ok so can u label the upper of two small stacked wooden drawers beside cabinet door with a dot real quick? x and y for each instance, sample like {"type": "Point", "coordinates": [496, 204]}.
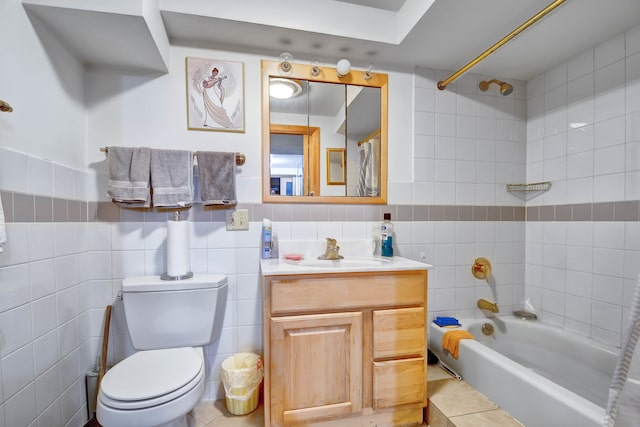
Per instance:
{"type": "Point", "coordinates": [398, 333]}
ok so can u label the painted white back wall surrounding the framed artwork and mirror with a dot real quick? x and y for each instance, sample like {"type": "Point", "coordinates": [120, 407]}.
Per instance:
{"type": "Point", "coordinates": [134, 110]}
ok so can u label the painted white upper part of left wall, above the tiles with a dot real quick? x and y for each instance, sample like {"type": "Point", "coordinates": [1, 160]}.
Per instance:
{"type": "Point", "coordinates": [40, 79]}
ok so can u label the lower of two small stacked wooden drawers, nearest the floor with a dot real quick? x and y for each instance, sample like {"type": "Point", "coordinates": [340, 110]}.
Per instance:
{"type": "Point", "coordinates": [399, 382]}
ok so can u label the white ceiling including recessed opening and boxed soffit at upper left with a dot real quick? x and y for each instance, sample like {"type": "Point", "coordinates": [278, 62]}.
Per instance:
{"type": "Point", "coordinates": [392, 34]}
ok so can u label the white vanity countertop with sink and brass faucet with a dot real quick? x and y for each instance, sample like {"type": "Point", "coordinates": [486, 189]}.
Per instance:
{"type": "Point", "coordinates": [275, 267]}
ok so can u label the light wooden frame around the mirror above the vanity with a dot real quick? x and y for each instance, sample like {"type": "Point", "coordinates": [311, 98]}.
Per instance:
{"type": "Point", "coordinates": [326, 75]}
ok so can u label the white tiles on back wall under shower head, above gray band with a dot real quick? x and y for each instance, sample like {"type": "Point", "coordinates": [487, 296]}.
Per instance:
{"type": "Point", "coordinates": [468, 143]}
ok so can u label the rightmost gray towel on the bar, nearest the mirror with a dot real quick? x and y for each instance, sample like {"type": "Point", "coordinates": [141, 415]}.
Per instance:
{"type": "Point", "coordinates": [217, 173]}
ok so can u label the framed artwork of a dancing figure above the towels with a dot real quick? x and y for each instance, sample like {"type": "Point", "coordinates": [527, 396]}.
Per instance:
{"type": "Point", "coordinates": [215, 95]}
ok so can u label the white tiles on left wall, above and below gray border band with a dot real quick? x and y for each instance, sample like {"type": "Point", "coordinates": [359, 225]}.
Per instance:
{"type": "Point", "coordinates": [42, 358]}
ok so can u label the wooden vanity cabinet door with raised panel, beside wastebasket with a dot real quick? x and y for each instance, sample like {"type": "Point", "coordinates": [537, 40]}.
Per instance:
{"type": "Point", "coordinates": [316, 367]}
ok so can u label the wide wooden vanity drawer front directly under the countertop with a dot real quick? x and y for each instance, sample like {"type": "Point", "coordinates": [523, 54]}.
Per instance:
{"type": "Point", "coordinates": [293, 294]}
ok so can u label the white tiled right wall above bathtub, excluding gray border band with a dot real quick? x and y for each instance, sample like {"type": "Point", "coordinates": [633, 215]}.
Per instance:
{"type": "Point", "coordinates": [584, 136]}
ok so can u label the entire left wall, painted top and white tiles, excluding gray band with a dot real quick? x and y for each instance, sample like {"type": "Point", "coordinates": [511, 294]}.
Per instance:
{"type": "Point", "coordinates": [46, 342]}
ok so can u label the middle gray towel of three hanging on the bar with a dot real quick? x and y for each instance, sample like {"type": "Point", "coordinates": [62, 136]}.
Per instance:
{"type": "Point", "coordinates": [172, 178]}
